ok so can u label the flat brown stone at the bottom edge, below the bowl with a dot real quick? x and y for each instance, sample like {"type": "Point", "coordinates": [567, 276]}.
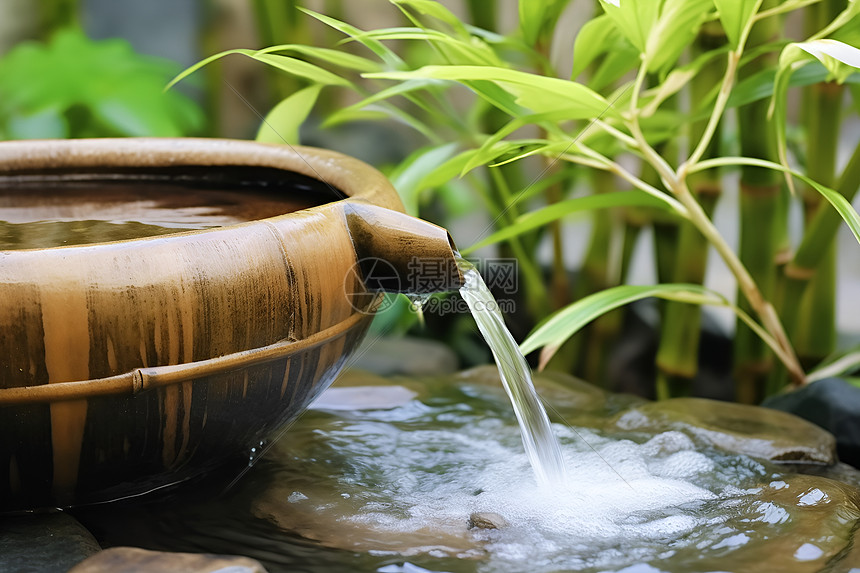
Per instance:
{"type": "Point", "coordinates": [135, 560]}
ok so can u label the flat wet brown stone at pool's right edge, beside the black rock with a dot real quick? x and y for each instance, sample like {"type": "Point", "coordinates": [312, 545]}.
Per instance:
{"type": "Point", "coordinates": [750, 430]}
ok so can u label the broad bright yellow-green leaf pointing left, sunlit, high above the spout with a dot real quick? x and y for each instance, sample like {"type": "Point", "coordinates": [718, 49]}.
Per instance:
{"type": "Point", "coordinates": [539, 93]}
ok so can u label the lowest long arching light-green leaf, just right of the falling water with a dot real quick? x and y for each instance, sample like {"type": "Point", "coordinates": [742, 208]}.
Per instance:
{"type": "Point", "coordinates": [563, 324]}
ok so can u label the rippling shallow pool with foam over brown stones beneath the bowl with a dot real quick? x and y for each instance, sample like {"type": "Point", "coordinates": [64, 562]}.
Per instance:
{"type": "Point", "coordinates": [441, 482]}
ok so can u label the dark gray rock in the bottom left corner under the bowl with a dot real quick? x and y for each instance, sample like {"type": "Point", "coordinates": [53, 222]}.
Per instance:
{"type": "Point", "coordinates": [43, 543]}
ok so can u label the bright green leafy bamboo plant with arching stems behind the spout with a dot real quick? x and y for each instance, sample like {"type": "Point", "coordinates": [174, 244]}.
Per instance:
{"type": "Point", "coordinates": [651, 83]}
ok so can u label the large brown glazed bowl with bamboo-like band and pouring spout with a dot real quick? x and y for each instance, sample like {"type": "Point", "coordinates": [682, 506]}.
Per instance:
{"type": "Point", "coordinates": [130, 365]}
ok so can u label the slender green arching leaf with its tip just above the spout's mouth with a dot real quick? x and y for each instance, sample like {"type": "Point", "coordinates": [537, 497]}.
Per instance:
{"type": "Point", "coordinates": [541, 217]}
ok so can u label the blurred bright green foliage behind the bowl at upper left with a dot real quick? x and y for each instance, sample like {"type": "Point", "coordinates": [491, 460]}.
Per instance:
{"type": "Point", "coordinates": [75, 87]}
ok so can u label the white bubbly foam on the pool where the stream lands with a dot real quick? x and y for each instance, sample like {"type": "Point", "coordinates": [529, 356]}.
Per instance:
{"type": "Point", "coordinates": [623, 502]}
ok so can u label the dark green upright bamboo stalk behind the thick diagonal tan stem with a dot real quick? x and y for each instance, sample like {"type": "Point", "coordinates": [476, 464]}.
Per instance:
{"type": "Point", "coordinates": [760, 227]}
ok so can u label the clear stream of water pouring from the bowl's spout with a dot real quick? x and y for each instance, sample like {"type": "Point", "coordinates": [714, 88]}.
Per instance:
{"type": "Point", "coordinates": [541, 445]}
